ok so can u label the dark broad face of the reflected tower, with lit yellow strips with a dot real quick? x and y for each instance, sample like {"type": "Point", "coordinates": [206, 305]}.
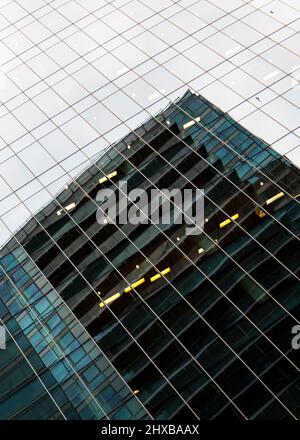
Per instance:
{"type": "Point", "coordinates": [211, 335]}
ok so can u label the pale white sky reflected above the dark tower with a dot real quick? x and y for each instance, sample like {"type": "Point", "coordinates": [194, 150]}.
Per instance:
{"type": "Point", "coordinates": [77, 75]}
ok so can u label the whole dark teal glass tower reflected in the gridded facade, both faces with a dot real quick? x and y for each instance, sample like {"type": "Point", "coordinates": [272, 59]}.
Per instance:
{"type": "Point", "coordinates": [141, 321]}
